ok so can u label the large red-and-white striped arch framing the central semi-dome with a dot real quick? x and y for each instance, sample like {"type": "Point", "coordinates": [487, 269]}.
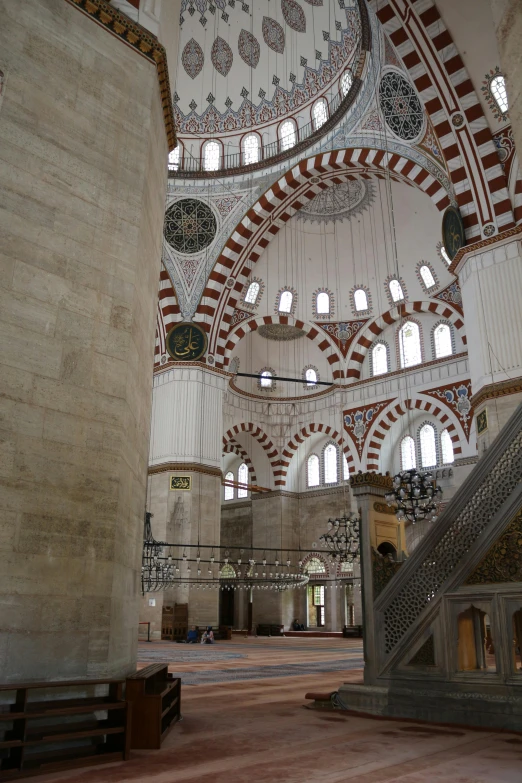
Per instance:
{"type": "Point", "coordinates": [273, 210]}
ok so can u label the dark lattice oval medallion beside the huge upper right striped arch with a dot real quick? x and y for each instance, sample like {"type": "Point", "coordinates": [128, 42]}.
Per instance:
{"type": "Point", "coordinates": [401, 108]}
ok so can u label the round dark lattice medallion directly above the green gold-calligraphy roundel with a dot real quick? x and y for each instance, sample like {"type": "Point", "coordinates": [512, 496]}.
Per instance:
{"type": "Point", "coordinates": [190, 226]}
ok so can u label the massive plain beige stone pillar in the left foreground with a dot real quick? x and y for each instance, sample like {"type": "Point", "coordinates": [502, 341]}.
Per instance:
{"type": "Point", "coordinates": [83, 176]}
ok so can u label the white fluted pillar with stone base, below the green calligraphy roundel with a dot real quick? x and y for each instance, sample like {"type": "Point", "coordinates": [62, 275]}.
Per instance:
{"type": "Point", "coordinates": [186, 442]}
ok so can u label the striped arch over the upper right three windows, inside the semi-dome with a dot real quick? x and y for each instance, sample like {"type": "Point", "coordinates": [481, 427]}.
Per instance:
{"type": "Point", "coordinates": [372, 330]}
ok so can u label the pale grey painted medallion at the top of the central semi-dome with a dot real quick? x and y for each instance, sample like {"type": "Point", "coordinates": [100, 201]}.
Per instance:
{"type": "Point", "coordinates": [338, 202]}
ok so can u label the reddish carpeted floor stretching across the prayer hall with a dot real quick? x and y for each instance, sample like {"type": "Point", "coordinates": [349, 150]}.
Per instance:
{"type": "Point", "coordinates": [249, 729]}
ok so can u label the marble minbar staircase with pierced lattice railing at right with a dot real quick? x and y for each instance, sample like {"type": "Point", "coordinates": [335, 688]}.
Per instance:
{"type": "Point", "coordinates": [443, 636]}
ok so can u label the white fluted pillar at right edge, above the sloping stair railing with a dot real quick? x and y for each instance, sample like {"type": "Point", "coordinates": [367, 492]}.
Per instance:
{"type": "Point", "coordinates": [491, 282]}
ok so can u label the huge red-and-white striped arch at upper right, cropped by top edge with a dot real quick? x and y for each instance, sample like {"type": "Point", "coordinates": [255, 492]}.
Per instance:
{"type": "Point", "coordinates": [426, 47]}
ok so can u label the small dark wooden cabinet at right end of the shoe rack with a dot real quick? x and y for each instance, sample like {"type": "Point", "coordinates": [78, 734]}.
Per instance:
{"type": "Point", "coordinates": [155, 697]}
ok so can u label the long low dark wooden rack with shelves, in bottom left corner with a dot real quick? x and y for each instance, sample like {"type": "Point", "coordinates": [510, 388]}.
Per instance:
{"type": "Point", "coordinates": [51, 726]}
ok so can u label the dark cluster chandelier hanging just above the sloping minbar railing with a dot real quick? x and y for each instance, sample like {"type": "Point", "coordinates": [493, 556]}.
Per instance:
{"type": "Point", "coordinates": [415, 495]}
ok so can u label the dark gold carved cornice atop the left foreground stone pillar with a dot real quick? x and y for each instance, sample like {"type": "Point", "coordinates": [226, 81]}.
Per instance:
{"type": "Point", "coordinates": [143, 42]}
